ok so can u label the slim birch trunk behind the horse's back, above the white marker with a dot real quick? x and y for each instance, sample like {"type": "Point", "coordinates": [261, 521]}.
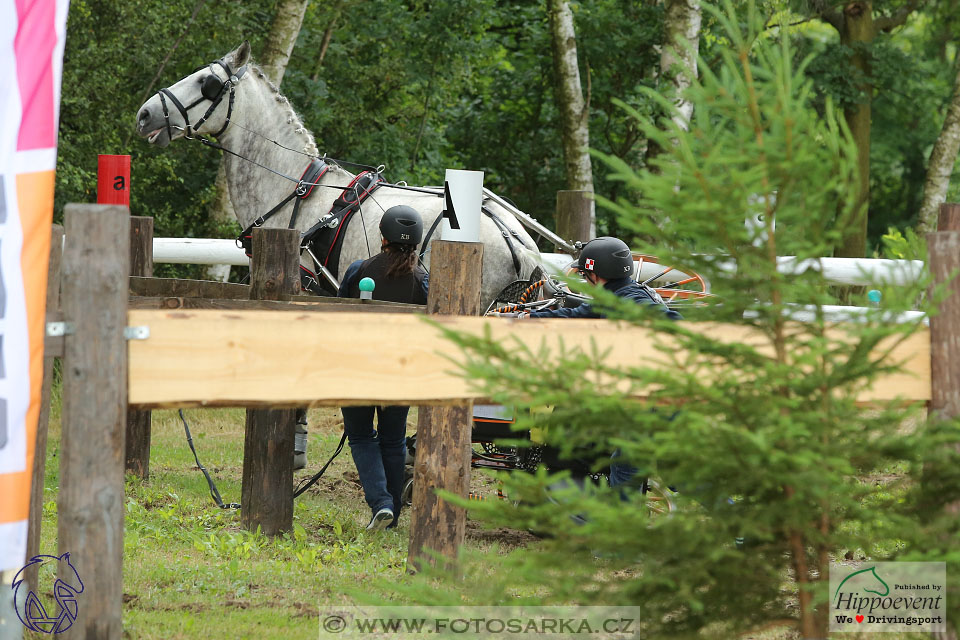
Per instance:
{"type": "Point", "coordinates": [574, 110]}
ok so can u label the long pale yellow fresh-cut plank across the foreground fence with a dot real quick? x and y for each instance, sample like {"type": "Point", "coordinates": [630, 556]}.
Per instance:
{"type": "Point", "coordinates": [274, 358]}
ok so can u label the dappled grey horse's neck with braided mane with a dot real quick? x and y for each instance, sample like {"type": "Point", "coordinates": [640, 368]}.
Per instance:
{"type": "Point", "coordinates": [264, 117]}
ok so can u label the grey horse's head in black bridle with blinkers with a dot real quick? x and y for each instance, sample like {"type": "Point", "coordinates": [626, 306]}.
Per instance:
{"type": "Point", "coordinates": [201, 103]}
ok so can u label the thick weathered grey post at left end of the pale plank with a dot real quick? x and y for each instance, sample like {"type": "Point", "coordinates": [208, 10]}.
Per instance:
{"type": "Point", "coordinates": [96, 268]}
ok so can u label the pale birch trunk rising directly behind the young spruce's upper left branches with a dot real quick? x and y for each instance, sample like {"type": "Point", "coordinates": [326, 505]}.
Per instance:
{"type": "Point", "coordinates": [678, 55]}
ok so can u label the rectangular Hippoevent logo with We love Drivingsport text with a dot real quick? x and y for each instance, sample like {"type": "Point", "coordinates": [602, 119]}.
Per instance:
{"type": "Point", "coordinates": [888, 596]}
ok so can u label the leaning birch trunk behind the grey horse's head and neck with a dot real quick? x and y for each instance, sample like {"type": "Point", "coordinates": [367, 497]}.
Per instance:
{"type": "Point", "coordinates": [283, 35]}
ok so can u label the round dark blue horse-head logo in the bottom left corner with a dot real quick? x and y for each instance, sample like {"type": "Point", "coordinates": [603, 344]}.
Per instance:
{"type": "Point", "coordinates": [41, 614]}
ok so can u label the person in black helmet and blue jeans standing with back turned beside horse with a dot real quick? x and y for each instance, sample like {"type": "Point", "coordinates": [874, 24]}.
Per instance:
{"type": "Point", "coordinates": [380, 453]}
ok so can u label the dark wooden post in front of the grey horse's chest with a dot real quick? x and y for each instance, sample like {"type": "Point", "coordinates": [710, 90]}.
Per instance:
{"type": "Point", "coordinates": [267, 489]}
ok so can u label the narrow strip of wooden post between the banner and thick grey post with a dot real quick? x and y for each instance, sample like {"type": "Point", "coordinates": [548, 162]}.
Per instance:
{"type": "Point", "coordinates": [40, 449]}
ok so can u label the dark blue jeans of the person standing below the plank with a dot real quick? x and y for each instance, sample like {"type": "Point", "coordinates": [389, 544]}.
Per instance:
{"type": "Point", "coordinates": [379, 453]}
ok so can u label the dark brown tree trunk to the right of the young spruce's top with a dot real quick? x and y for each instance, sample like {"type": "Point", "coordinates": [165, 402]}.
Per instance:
{"type": "Point", "coordinates": [858, 32]}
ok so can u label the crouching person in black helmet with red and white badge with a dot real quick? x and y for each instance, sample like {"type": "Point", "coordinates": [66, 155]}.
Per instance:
{"type": "Point", "coordinates": [608, 262]}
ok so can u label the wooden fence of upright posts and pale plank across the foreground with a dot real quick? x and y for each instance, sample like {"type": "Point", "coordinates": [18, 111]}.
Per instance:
{"type": "Point", "coordinates": [141, 343]}
